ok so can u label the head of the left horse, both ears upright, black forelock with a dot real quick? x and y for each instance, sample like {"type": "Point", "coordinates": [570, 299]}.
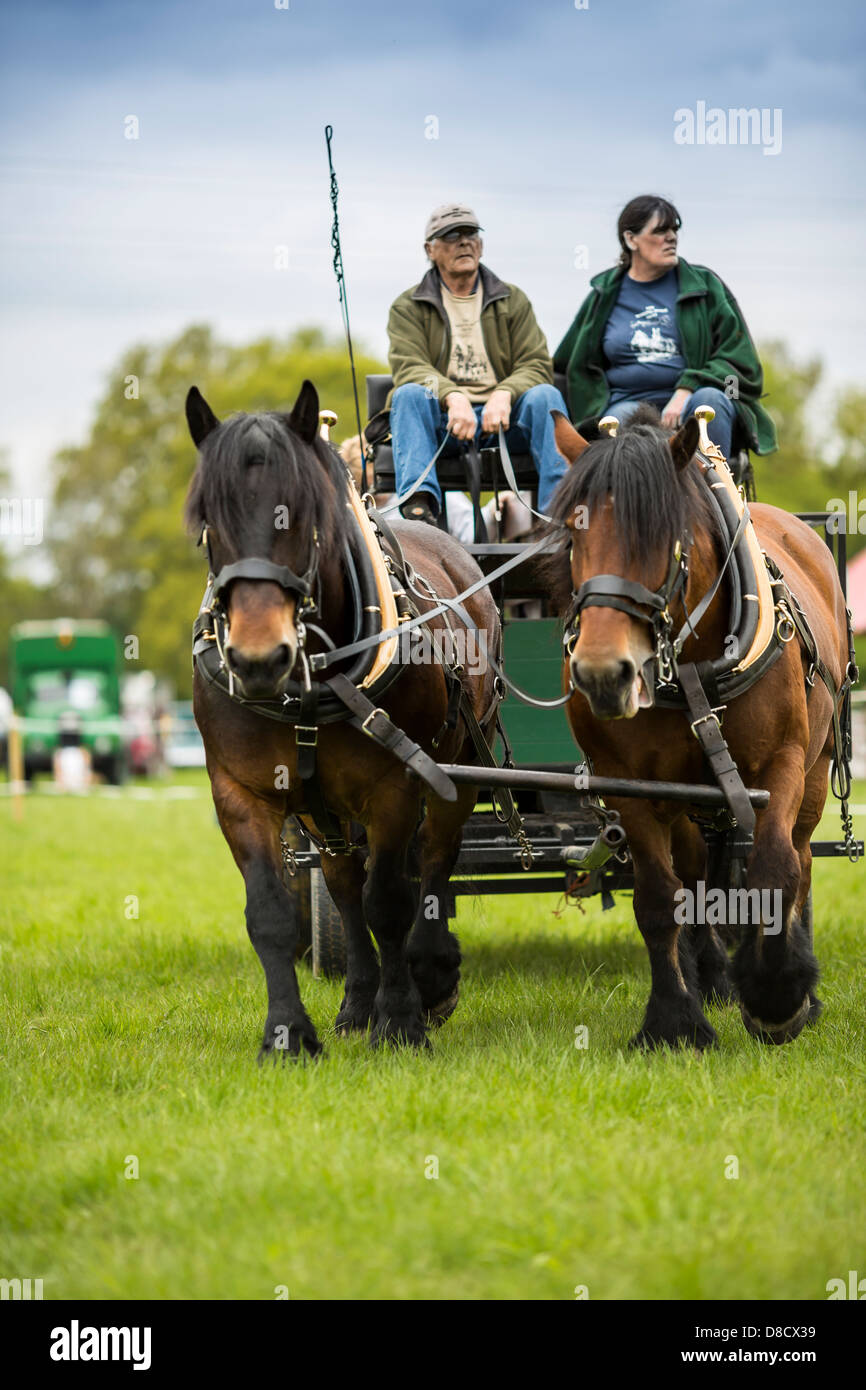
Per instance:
{"type": "Point", "coordinates": [270, 494]}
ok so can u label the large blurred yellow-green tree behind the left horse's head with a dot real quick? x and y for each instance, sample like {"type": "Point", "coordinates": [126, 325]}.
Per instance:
{"type": "Point", "coordinates": [117, 533]}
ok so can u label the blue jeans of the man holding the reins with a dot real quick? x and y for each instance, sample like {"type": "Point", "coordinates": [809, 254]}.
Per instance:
{"type": "Point", "coordinates": [419, 425]}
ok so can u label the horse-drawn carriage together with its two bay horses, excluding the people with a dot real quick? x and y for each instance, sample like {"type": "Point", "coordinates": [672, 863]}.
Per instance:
{"type": "Point", "coordinates": [546, 821]}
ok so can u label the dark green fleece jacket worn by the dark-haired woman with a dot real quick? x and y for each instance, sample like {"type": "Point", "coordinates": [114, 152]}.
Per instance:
{"type": "Point", "coordinates": [714, 337]}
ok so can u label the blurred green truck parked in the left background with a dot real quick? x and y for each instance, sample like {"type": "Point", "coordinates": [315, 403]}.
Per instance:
{"type": "Point", "coordinates": [66, 676]}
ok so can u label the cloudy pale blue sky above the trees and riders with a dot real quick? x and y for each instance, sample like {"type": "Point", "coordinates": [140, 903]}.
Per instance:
{"type": "Point", "coordinates": [550, 119]}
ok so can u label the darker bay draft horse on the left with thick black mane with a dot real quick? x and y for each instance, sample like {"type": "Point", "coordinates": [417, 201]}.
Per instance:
{"type": "Point", "coordinates": [251, 469]}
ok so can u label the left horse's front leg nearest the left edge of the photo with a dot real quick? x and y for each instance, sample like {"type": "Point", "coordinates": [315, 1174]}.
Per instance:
{"type": "Point", "coordinates": [252, 828]}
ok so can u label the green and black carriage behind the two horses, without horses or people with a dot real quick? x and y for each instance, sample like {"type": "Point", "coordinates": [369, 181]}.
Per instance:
{"type": "Point", "coordinates": [573, 850]}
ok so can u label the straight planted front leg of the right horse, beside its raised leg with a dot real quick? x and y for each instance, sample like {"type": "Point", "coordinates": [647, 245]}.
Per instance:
{"type": "Point", "coordinates": [673, 1011]}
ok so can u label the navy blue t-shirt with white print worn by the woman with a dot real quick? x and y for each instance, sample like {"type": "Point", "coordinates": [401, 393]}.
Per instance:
{"type": "Point", "coordinates": [642, 343]}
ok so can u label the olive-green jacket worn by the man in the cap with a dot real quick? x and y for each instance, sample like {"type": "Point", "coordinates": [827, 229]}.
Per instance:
{"type": "Point", "coordinates": [419, 336]}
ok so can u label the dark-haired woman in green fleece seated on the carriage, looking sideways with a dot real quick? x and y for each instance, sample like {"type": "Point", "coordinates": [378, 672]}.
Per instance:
{"type": "Point", "coordinates": [661, 330]}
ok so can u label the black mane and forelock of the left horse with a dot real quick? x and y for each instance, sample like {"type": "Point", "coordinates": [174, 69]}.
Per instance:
{"type": "Point", "coordinates": [291, 477]}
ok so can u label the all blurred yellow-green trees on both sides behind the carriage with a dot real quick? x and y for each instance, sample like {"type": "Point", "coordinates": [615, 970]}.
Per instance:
{"type": "Point", "coordinates": [115, 530]}
